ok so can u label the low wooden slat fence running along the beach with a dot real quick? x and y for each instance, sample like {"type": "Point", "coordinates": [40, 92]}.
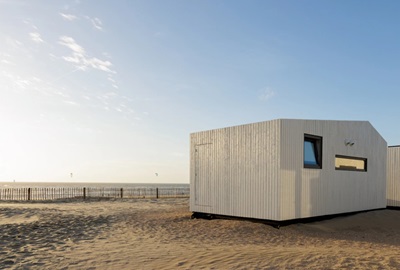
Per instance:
{"type": "Point", "coordinates": [56, 193]}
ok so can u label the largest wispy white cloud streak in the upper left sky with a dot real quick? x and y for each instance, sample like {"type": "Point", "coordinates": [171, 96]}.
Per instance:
{"type": "Point", "coordinates": [80, 58]}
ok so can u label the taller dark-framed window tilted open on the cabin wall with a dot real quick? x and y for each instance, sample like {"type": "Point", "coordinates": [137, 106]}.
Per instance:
{"type": "Point", "coordinates": [312, 151]}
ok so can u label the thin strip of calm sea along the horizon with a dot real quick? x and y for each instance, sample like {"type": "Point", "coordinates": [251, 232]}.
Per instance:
{"type": "Point", "coordinates": [98, 185]}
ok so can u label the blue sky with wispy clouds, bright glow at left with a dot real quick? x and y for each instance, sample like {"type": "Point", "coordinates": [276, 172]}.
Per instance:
{"type": "Point", "coordinates": [109, 91]}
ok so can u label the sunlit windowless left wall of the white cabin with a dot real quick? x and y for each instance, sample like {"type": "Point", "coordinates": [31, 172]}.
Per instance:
{"type": "Point", "coordinates": [234, 171]}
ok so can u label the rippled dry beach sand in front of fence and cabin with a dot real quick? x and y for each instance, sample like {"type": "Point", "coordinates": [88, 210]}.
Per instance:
{"type": "Point", "coordinates": [159, 234]}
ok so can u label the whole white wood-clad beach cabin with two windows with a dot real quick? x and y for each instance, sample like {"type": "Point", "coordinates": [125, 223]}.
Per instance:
{"type": "Point", "coordinates": [288, 169]}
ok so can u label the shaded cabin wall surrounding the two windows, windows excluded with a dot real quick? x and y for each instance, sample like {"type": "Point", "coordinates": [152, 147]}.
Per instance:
{"type": "Point", "coordinates": [307, 192]}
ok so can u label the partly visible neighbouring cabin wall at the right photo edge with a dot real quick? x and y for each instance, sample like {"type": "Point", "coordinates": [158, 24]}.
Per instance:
{"type": "Point", "coordinates": [393, 177]}
